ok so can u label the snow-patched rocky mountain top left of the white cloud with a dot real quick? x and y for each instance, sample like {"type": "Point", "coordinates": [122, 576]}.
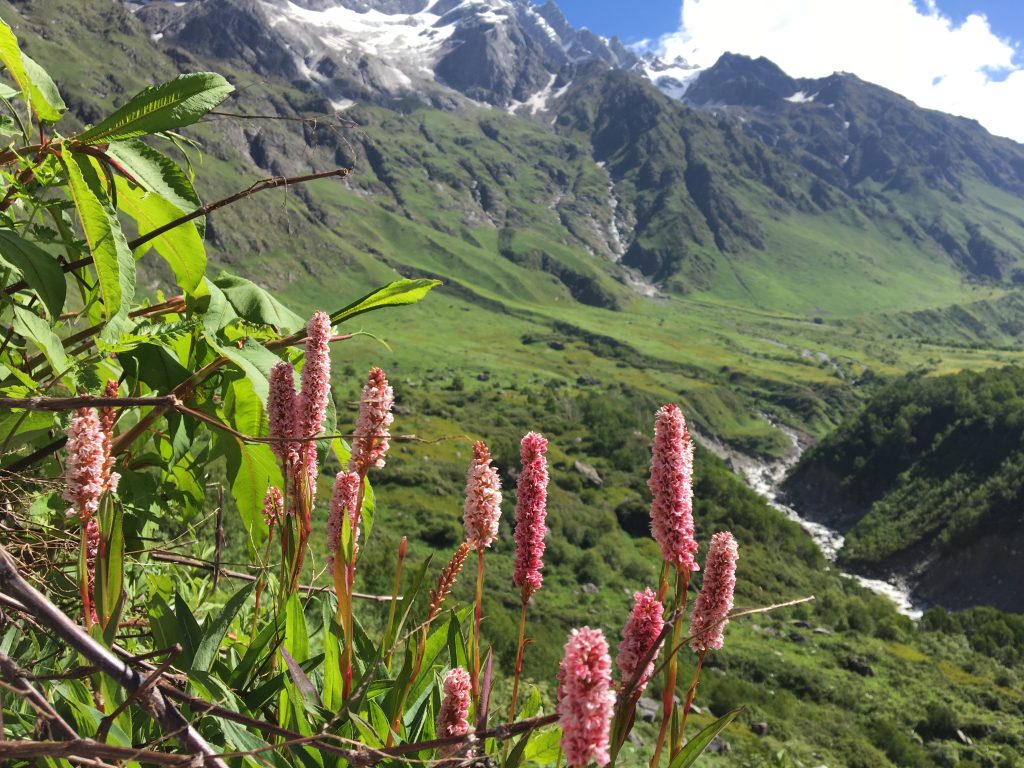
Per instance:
{"type": "Point", "coordinates": [508, 54]}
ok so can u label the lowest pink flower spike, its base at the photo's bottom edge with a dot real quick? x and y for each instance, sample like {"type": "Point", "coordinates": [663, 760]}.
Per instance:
{"type": "Point", "coordinates": [586, 700]}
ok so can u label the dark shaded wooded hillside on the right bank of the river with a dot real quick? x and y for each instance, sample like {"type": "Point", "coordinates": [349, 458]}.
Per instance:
{"type": "Point", "coordinates": [928, 483]}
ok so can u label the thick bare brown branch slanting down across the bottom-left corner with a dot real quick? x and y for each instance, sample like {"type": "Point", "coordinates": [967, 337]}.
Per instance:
{"type": "Point", "coordinates": [153, 701]}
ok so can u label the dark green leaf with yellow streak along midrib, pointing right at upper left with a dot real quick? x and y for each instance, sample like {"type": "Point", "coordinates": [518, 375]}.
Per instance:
{"type": "Point", "coordinates": [162, 108]}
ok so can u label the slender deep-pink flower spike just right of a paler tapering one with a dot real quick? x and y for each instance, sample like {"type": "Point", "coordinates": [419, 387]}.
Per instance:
{"type": "Point", "coordinates": [531, 511]}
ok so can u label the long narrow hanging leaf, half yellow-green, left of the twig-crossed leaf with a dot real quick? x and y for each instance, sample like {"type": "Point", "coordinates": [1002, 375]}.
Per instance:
{"type": "Point", "coordinates": [111, 255]}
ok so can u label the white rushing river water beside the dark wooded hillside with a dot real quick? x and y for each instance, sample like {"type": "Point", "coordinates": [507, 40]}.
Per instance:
{"type": "Point", "coordinates": [766, 478]}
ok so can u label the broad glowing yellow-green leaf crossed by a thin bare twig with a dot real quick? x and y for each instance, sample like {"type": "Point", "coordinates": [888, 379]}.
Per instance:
{"type": "Point", "coordinates": [181, 247]}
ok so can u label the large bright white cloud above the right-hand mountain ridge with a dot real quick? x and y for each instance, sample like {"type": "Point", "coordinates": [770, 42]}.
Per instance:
{"type": "Point", "coordinates": [964, 69]}
